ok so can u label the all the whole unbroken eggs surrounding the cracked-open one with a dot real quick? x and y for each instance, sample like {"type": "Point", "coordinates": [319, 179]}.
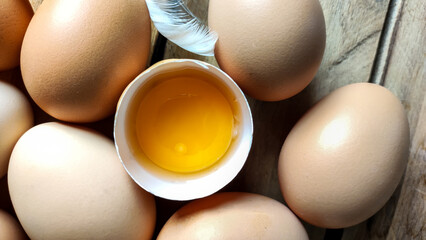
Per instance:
{"type": "Point", "coordinates": [338, 166]}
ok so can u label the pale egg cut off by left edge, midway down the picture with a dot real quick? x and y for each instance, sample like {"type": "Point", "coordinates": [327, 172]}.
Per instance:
{"type": "Point", "coordinates": [16, 117]}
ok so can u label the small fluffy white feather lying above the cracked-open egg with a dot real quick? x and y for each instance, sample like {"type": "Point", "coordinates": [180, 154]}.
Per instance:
{"type": "Point", "coordinates": [178, 24]}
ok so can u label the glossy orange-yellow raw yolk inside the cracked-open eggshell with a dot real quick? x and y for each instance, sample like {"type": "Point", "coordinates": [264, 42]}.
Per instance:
{"type": "Point", "coordinates": [184, 124]}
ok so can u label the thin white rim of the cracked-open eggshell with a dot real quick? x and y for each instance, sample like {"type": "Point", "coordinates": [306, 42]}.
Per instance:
{"type": "Point", "coordinates": [182, 189]}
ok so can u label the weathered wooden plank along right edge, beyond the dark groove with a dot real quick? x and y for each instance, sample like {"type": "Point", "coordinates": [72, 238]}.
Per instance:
{"type": "Point", "coordinates": [405, 76]}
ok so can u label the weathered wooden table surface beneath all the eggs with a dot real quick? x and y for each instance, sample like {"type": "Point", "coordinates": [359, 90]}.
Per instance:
{"type": "Point", "coordinates": [381, 41]}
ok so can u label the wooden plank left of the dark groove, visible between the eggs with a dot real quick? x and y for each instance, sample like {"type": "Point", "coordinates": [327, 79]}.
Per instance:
{"type": "Point", "coordinates": [353, 32]}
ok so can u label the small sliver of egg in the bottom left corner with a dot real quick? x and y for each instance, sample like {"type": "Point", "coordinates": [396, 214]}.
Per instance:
{"type": "Point", "coordinates": [10, 228]}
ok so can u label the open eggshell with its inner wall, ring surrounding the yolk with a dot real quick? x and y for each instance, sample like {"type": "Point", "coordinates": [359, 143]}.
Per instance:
{"type": "Point", "coordinates": [173, 185]}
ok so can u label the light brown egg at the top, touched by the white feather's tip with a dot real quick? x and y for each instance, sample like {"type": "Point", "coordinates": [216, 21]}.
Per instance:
{"type": "Point", "coordinates": [273, 48]}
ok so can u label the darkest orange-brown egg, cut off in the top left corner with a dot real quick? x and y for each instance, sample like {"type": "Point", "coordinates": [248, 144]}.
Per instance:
{"type": "Point", "coordinates": [15, 15]}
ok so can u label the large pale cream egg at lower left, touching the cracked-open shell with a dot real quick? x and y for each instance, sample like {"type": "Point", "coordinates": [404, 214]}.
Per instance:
{"type": "Point", "coordinates": [67, 182]}
